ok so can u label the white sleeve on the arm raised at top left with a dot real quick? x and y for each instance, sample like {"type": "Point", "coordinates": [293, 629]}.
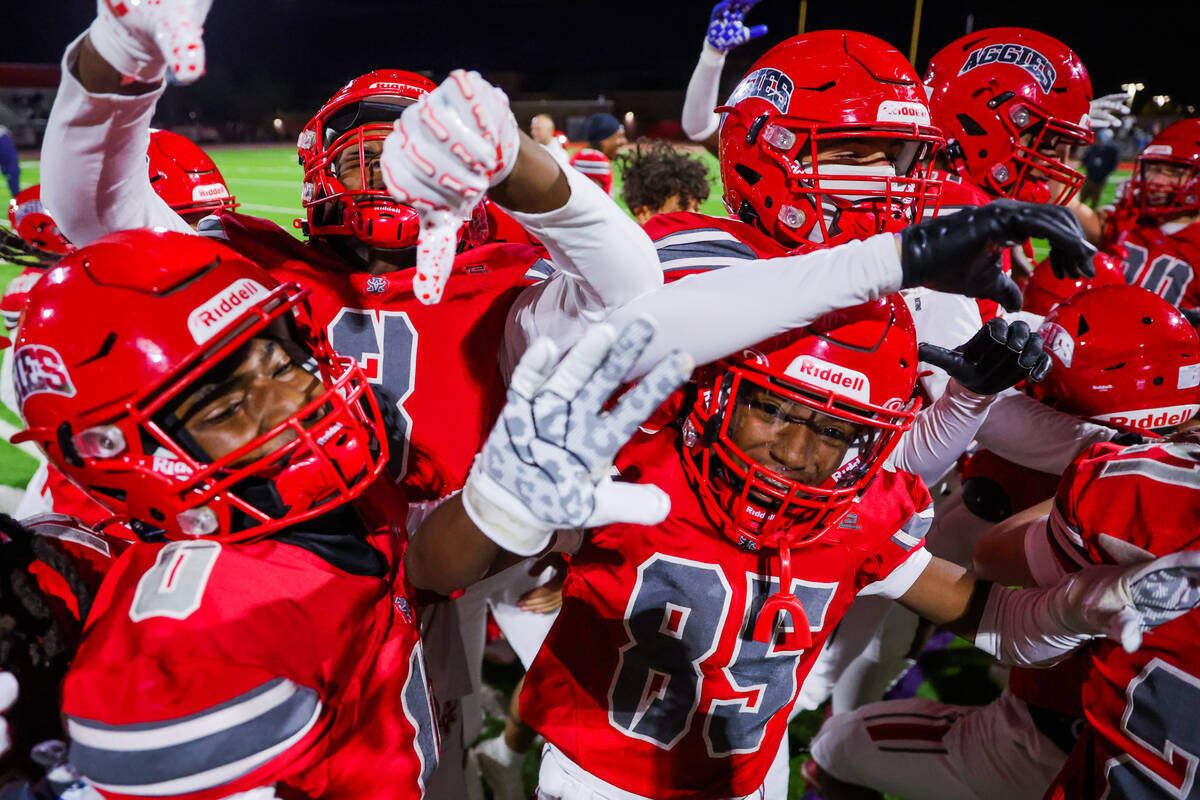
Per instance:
{"type": "Point", "coordinates": [94, 163]}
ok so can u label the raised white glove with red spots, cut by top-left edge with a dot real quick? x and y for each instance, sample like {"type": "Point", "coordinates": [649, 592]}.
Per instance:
{"type": "Point", "coordinates": [143, 39]}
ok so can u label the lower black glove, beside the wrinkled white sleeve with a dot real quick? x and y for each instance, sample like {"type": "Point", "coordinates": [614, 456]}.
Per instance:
{"type": "Point", "coordinates": [999, 357]}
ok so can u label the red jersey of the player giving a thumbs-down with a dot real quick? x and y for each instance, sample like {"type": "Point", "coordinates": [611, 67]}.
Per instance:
{"type": "Point", "coordinates": [437, 366]}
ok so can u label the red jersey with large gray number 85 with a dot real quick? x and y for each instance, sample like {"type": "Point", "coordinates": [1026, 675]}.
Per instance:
{"type": "Point", "coordinates": [651, 679]}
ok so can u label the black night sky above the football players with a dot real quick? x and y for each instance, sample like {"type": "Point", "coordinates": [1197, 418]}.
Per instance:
{"type": "Point", "coordinates": [293, 53]}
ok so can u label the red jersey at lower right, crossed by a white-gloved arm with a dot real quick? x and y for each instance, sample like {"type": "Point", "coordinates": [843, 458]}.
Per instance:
{"type": "Point", "coordinates": [1117, 507]}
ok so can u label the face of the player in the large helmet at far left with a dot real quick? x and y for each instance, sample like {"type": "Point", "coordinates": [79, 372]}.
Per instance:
{"type": "Point", "coordinates": [229, 408]}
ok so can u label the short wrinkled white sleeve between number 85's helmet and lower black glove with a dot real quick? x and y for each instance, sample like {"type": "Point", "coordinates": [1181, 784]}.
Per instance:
{"type": "Point", "coordinates": [941, 434]}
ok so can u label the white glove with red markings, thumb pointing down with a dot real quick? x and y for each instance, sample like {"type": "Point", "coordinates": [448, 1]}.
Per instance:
{"type": "Point", "coordinates": [447, 149]}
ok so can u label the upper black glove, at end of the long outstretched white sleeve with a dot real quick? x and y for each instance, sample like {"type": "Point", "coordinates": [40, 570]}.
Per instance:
{"type": "Point", "coordinates": [962, 252]}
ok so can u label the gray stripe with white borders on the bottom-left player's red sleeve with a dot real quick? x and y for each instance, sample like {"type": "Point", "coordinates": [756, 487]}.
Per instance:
{"type": "Point", "coordinates": [129, 760]}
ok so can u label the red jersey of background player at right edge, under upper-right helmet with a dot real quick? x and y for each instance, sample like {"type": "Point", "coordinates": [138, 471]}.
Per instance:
{"type": "Point", "coordinates": [1167, 264]}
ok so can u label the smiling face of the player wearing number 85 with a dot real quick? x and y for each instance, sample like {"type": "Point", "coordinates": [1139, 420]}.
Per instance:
{"type": "Point", "coordinates": [789, 438]}
